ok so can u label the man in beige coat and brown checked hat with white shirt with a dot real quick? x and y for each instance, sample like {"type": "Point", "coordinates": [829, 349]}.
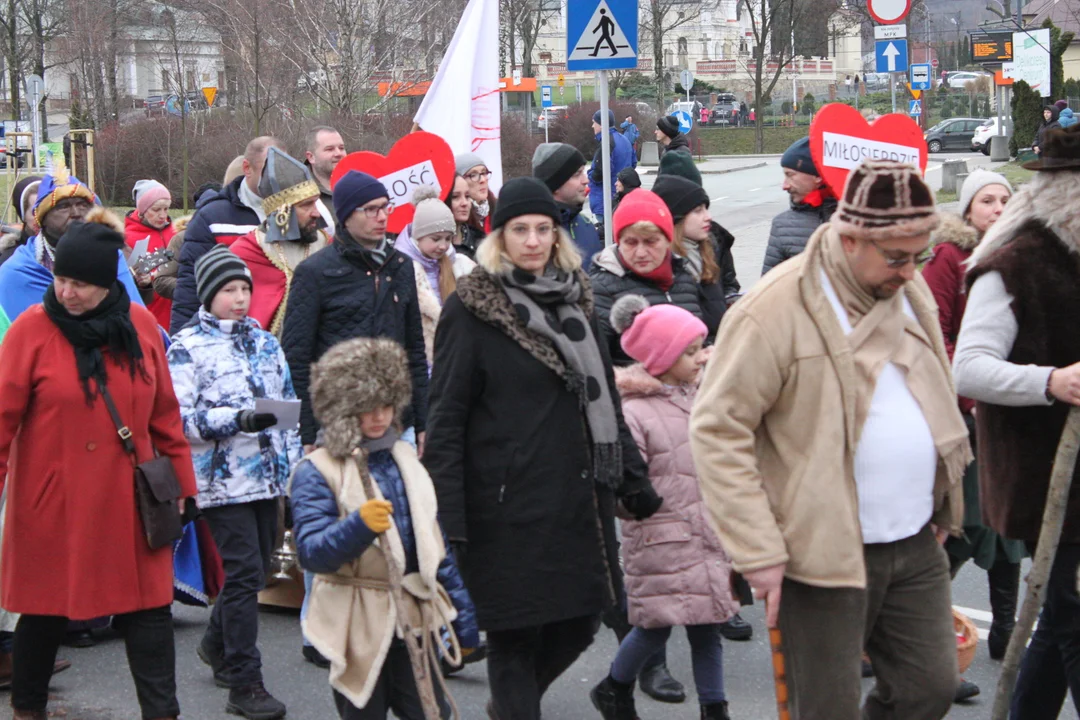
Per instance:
{"type": "Point", "coordinates": [831, 454]}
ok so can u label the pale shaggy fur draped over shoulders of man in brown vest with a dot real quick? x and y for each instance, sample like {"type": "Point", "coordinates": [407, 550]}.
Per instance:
{"type": "Point", "coordinates": [1049, 200]}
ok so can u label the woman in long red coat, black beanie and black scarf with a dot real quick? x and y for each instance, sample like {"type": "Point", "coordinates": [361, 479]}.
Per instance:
{"type": "Point", "coordinates": [74, 542]}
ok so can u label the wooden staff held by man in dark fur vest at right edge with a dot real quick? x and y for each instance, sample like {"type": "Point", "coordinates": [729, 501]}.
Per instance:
{"type": "Point", "coordinates": [1050, 536]}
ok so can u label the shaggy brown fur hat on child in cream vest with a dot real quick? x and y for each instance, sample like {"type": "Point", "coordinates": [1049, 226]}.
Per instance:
{"type": "Point", "coordinates": [355, 377]}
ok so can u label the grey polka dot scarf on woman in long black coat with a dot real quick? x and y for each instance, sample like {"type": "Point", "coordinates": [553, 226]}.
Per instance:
{"type": "Point", "coordinates": [548, 306]}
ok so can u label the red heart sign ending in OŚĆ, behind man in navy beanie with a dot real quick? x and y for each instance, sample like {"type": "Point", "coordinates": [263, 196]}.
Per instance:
{"type": "Point", "coordinates": [417, 159]}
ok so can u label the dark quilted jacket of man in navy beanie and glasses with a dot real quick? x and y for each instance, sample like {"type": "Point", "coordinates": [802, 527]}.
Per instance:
{"type": "Point", "coordinates": [340, 294]}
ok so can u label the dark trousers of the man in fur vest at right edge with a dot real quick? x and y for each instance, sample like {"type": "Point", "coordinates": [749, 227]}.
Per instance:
{"type": "Point", "coordinates": [1051, 665]}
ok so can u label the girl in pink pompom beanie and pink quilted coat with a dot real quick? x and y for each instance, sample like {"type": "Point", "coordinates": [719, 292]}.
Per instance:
{"type": "Point", "coordinates": [677, 572]}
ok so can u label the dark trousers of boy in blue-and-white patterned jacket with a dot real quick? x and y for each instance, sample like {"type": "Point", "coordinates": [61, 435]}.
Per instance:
{"type": "Point", "coordinates": [246, 535]}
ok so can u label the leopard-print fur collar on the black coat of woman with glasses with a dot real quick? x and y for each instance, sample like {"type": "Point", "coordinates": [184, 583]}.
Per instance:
{"type": "Point", "coordinates": [483, 295]}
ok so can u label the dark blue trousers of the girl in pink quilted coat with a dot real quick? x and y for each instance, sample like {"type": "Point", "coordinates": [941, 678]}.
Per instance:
{"type": "Point", "coordinates": [707, 653]}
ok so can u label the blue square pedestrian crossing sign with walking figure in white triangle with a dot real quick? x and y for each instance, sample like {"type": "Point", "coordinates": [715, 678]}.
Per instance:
{"type": "Point", "coordinates": [602, 35]}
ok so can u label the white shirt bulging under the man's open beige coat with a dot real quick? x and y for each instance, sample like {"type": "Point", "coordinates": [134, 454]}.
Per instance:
{"type": "Point", "coordinates": [896, 461]}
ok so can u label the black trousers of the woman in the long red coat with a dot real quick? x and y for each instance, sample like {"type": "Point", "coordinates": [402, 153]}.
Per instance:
{"type": "Point", "coordinates": [152, 658]}
